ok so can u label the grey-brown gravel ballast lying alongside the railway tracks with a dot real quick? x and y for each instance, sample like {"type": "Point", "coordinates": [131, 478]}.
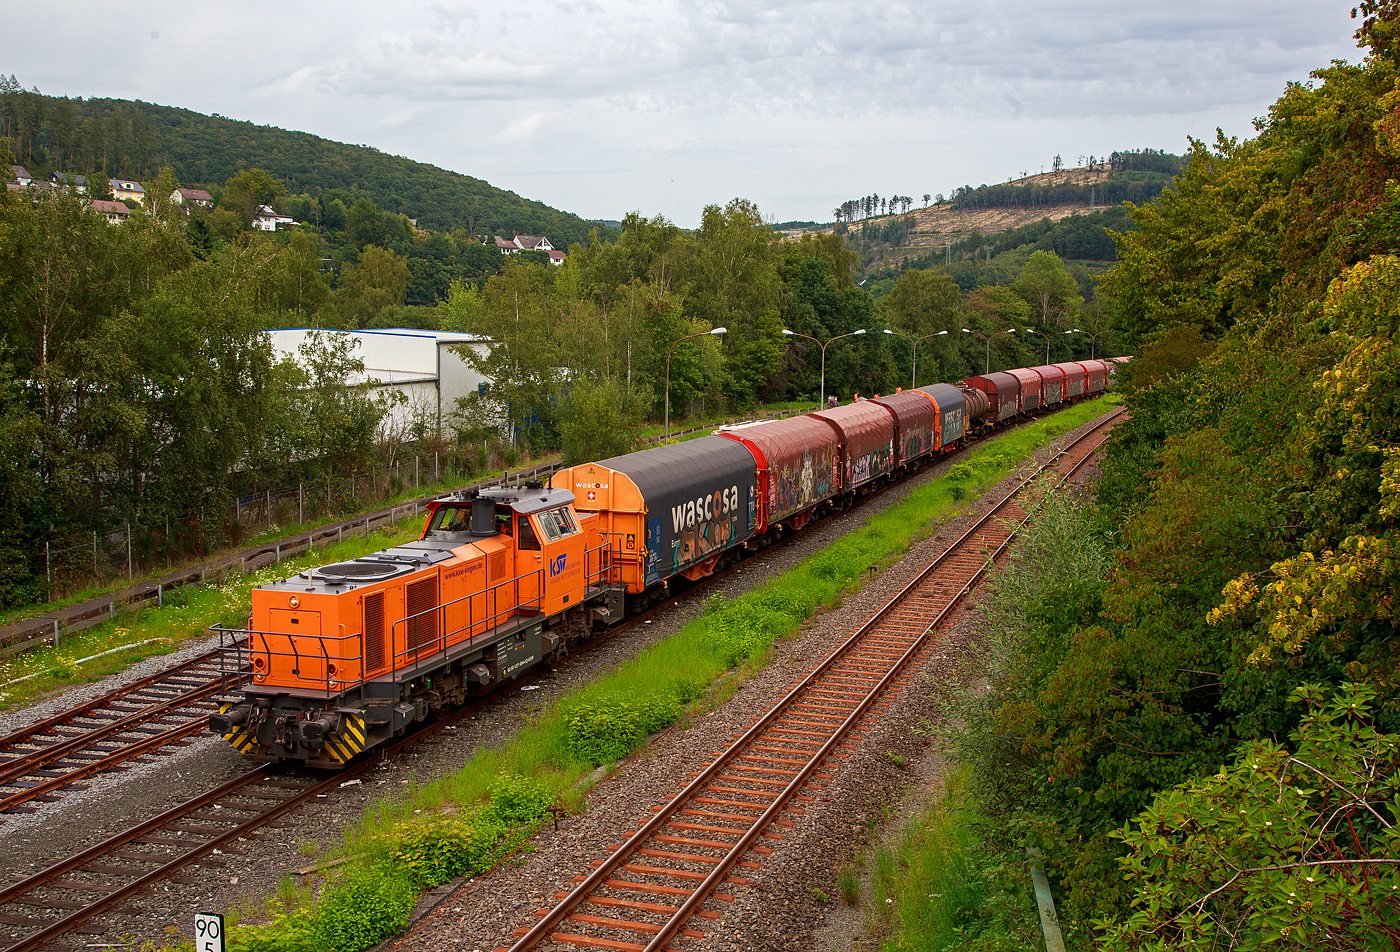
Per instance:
{"type": "Point", "coordinates": [780, 911]}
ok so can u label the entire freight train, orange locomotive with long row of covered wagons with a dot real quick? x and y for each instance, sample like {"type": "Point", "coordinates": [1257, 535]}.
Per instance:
{"type": "Point", "coordinates": [342, 659]}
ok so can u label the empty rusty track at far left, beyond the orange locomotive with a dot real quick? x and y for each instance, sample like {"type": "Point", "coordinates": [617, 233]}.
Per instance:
{"type": "Point", "coordinates": [136, 720]}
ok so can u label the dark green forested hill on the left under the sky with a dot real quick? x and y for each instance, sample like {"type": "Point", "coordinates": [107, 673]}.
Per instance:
{"type": "Point", "coordinates": [131, 139]}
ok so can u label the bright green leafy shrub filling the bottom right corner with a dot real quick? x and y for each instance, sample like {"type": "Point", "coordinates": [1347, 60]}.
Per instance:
{"type": "Point", "coordinates": [1279, 850]}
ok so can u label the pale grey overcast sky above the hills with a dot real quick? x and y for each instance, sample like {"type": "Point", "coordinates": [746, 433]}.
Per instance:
{"type": "Point", "coordinates": [601, 107]}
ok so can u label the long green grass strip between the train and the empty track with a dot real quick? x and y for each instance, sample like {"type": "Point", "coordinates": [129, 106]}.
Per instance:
{"type": "Point", "coordinates": [495, 803]}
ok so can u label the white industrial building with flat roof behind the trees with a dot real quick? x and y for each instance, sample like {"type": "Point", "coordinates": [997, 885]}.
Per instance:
{"type": "Point", "coordinates": [423, 366]}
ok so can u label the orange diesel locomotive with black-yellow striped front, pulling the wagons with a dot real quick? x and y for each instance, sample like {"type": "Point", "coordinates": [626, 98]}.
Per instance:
{"type": "Point", "coordinates": [344, 657]}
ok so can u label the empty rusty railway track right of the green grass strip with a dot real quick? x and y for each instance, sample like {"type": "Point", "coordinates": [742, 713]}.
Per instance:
{"type": "Point", "coordinates": [678, 869]}
